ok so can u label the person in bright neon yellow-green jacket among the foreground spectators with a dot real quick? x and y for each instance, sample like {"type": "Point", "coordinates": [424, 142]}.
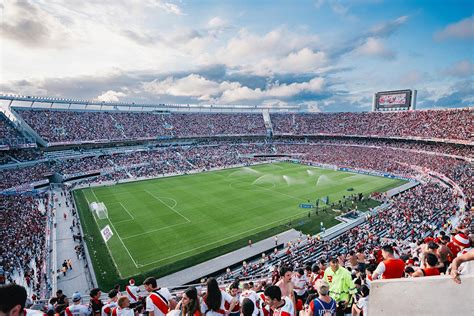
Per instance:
{"type": "Point", "coordinates": [341, 286]}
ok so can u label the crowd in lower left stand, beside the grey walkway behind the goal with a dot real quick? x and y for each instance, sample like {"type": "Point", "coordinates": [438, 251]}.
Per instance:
{"type": "Point", "coordinates": [23, 235]}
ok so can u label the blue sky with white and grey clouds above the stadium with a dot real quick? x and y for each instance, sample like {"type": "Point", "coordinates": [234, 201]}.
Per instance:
{"type": "Point", "coordinates": [322, 55]}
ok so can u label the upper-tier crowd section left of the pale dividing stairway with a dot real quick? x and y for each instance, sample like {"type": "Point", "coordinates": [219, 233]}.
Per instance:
{"type": "Point", "coordinates": [70, 126]}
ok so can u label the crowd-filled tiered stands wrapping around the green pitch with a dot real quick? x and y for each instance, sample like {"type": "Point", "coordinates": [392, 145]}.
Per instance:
{"type": "Point", "coordinates": [433, 145]}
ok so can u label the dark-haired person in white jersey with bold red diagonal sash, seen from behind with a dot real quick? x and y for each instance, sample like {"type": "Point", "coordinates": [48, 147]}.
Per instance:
{"type": "Point", "coordinates": [159, 300]}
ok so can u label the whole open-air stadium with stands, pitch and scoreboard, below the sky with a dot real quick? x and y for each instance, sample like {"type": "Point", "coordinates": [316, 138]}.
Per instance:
{"type": "Point", "coordinates": [137, 207]}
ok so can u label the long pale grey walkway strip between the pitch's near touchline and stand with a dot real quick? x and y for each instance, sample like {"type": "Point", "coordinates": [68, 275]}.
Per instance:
{"type": "Point", "coordinates": [211, 266]}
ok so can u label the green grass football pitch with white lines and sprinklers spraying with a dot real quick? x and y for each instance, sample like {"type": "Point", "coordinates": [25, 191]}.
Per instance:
{"type": "Point", "coordinates": [166, 224]}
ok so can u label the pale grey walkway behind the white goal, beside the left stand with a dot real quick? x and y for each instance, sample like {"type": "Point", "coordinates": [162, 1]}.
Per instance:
{"type": "Point", "coordinates": [75, 279]}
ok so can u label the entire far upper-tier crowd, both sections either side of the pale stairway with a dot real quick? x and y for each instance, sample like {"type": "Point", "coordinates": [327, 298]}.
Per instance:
{"type": "Point", "coordinates": [83, 126]}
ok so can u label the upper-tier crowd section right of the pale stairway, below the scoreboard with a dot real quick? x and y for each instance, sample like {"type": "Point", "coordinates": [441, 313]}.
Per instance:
{"type": "Point", "coordinates": [444, 124]}
